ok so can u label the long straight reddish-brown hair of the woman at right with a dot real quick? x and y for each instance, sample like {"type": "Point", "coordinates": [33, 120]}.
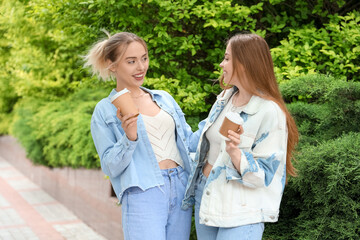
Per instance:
{"type": "Point", "coordinates": [253, 53]}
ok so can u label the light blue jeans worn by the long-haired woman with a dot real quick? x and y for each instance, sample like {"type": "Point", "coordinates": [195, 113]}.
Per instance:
{"type": "Point", "coordinates": [203, 232]}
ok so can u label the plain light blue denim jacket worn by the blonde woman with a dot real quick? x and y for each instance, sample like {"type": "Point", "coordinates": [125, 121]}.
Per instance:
{"type": "Point", "coordinates": [133, 163]}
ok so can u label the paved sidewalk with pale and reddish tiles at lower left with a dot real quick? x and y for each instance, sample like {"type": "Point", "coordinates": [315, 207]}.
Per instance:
{"type": "Point", "coordinates": [29, 213]}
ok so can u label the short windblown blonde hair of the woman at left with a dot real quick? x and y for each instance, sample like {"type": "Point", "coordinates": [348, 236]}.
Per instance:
{"type": "Point", "coordinates": [105, 53]}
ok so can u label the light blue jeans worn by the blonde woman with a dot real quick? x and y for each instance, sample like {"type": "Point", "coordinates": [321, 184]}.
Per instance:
{"type": "Point", "coordinates": [156, 213]}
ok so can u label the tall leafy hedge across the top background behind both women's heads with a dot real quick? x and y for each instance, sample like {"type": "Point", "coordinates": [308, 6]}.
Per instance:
{"type": "Point", "coordinates": [44, 39]}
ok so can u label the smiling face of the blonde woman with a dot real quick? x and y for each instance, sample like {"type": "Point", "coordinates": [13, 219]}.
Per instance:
{"type": "Point", "coordinates": [131, 69]}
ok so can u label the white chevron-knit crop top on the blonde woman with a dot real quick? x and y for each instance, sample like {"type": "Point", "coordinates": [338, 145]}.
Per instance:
{"type": "Point", "coordinates": [161, 132]}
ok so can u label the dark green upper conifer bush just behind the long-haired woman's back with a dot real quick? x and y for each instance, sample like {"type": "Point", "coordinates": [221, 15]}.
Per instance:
{"type": "Point", "coordinates": [323, 107]}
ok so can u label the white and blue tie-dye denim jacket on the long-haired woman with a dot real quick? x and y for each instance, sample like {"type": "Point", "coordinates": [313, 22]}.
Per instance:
{"type": "Point", "coordinates": [231, 198]}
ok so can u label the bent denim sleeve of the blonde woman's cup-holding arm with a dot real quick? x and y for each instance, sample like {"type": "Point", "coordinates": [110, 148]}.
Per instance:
{"type": "Point", "coordinates": [113, 146]}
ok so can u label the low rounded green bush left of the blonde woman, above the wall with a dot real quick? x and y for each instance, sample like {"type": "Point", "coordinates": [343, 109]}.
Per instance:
{"type": "Point", "coordinates": [57, 133]}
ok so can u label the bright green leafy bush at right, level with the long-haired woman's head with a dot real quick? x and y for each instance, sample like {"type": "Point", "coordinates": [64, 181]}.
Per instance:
{"type": "Point", "coordinates": [332, 49]}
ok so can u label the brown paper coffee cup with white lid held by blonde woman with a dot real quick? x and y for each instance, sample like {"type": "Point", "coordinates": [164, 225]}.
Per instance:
{"type": "Point", "coordinates": [124, 101]}
